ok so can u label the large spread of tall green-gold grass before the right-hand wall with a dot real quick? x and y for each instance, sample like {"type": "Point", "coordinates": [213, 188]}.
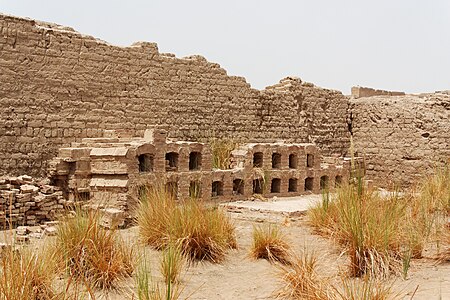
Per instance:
{"type": "Point", "coordinates": [380, 233]}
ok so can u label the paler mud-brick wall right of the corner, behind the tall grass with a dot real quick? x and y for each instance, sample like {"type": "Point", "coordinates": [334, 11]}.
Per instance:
{"type": "Point", "coordinates": [402, 137]}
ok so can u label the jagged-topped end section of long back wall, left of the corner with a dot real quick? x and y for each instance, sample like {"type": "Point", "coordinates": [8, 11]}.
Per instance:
{"type": "Point", "coordinates": [300, 111]}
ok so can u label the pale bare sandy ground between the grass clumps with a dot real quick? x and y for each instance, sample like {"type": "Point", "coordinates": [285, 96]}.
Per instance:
{"type": "Point", "coordinates": [240, 277]}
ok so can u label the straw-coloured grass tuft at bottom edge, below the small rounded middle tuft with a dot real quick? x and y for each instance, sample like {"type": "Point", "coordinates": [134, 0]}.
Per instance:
{"type": "Point", "coordinates": [301, 280]}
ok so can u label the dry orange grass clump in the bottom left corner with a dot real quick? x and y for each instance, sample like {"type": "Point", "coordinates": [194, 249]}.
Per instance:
{"type": "Point", "coordinates": [25, 274]}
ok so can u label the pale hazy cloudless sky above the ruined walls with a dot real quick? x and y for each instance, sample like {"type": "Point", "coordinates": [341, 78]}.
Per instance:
{"type": "Point", "coordinates": [387, 44]}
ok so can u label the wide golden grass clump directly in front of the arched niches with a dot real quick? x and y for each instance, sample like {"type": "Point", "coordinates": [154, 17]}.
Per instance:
{"type": "Point", "coordinates": [202, 233]}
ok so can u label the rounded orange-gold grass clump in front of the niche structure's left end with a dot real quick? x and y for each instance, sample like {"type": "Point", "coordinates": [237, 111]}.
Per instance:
{"type": "Point", "coordinates": [91, 253]}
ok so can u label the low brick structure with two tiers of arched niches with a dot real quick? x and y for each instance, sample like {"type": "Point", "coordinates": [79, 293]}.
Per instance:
{"type": "Point", "coordinates": [112, 171]}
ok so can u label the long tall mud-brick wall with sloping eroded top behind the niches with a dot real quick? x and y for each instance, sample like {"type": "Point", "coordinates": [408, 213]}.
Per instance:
{"type": "Point", "coordinates": [58, 86]}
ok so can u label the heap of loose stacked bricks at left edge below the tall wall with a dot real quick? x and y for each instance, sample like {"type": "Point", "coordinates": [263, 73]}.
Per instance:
{"type": "Point", "coordinates": [23, 201]}
